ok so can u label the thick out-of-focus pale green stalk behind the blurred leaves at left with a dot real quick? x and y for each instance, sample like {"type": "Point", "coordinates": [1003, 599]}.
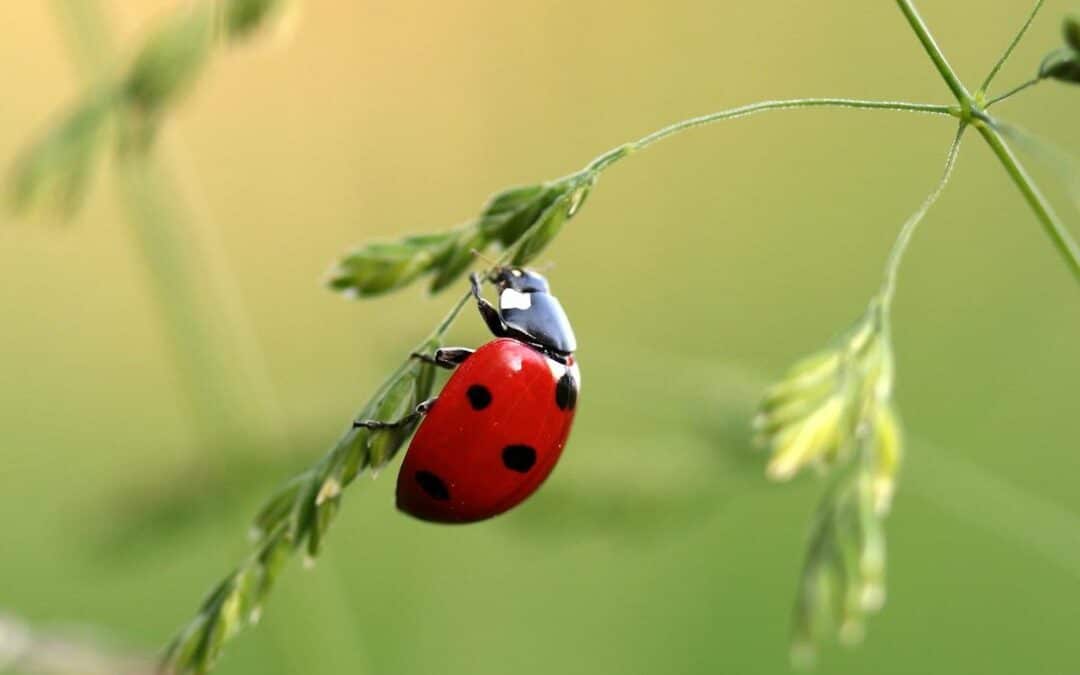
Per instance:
{"type": "Point", "coordinates": [220, 364]}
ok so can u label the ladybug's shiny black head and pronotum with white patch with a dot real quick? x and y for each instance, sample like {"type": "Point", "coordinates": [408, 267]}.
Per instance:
{"type": "Point", "coordinates": [531, 314]}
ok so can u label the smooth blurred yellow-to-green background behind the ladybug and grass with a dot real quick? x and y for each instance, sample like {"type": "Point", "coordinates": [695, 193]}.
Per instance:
{"type": "Point", "coordinates": [698, 272]}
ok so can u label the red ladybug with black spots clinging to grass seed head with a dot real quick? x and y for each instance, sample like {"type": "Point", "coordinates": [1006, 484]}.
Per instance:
{"type": "Point", "coordinates": [498, 427]}
